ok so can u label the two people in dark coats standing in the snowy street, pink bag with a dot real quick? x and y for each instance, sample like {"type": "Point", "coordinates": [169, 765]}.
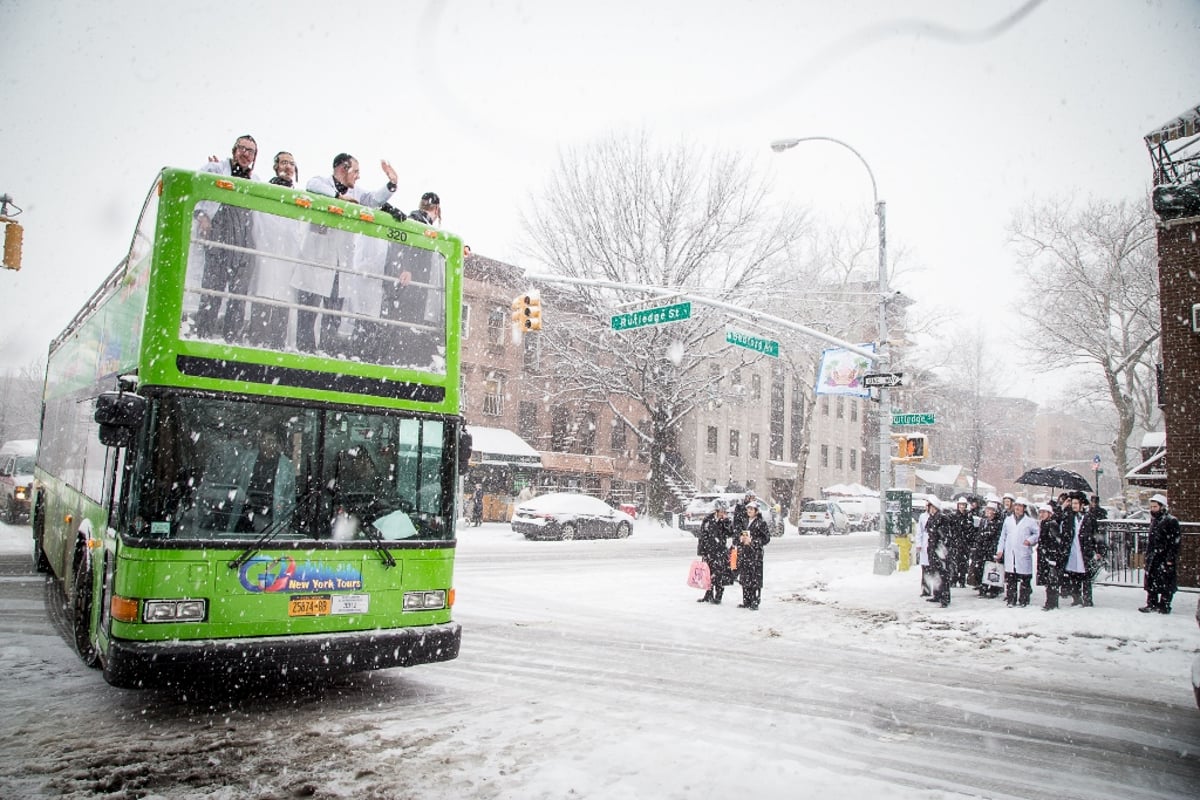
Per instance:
{"type": "Point", "coordinates": [733, 548]}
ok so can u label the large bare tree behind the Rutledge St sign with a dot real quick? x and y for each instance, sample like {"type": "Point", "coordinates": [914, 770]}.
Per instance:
{"type": "Point", "coordinates": [676, 218]}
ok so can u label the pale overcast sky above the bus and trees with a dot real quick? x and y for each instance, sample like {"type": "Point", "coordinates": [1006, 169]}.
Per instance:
{"type": "Point", "coordinates": [964, 111]}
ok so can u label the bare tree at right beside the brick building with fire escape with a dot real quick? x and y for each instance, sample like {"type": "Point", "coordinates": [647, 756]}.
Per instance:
{"type": "Point", "coordinates": [1091, 302]}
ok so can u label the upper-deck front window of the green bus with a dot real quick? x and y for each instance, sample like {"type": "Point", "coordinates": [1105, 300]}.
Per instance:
{"type": "Point", "coordinates": [265, 281]}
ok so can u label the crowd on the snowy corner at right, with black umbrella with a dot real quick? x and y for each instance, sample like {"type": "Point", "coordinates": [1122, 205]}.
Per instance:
{"type": "Point", "coordinates": [957, 542]}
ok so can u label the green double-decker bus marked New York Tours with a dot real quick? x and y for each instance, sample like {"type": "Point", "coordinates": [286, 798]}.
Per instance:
{"type": "Point", "coordinates": [251, 441]}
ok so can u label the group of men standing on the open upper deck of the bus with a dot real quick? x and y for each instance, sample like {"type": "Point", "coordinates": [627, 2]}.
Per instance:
{"type": "Point", "coordinates": [314, 282]}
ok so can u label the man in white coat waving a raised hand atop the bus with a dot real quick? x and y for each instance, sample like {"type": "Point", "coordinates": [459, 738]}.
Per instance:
{"type": "Point", "coordinates": [320, 287]}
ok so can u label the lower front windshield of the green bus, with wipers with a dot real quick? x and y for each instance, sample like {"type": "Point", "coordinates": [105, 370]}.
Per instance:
{"type": "Point", "coordinates": [220, 468]}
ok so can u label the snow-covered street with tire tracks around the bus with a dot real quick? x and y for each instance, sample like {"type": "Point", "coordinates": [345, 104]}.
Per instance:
{"type": "Point", "coordinates": [589, 671]}
